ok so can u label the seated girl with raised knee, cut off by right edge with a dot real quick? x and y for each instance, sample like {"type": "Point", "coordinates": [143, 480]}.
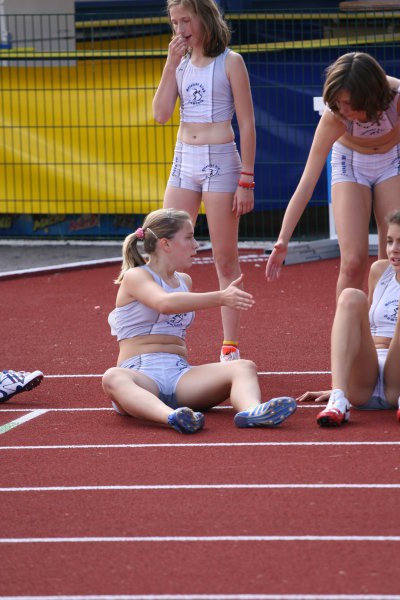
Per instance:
{"type": "Point", "coordinates": [365, 346]}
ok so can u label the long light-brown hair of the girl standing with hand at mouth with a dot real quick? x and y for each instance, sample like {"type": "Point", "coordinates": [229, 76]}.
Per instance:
{"type": "Point", "coordinates": [216, 33]}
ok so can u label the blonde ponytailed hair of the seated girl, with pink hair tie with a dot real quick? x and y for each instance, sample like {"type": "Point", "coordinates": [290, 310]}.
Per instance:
{"type": "Point", "coordinates": [162, 223]}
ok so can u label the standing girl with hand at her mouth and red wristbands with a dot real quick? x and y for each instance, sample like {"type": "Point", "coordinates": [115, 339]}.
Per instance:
{"type": "Point", "coordinates": [212, 84]}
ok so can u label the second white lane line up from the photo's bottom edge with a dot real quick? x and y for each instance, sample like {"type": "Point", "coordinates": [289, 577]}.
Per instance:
{"type": "Point", "coordinates": [201, 539]}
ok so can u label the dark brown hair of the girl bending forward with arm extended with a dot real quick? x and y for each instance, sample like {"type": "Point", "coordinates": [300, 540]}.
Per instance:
{"type": "Point", "coordinates": [364, 79]}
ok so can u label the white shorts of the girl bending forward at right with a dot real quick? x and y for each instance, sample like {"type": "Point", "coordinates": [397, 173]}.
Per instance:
{"type": "Point", "coordinates": [365, 169]}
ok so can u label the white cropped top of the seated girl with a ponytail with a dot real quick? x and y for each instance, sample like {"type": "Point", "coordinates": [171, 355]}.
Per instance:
{"type": "Point", "coordinates": [136, 318]}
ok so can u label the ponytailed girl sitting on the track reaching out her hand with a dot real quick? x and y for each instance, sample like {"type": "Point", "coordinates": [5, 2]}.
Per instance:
{"type": "Point", "coordinates": [154, 307]}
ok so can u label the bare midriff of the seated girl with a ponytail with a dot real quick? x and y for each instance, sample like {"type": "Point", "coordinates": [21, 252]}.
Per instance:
{"type": "Point", "coordinates": [147, 344]}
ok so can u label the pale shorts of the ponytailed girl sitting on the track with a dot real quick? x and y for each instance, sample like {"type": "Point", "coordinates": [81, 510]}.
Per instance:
{"type": "Point", "coordinates": [164, 369]}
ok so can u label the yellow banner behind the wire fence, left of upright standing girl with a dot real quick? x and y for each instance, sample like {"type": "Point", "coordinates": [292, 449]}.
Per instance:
{"type": "Point", "coordinates": [82, 139]}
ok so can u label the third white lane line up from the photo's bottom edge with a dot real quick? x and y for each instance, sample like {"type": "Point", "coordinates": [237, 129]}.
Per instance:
{"type": "Point", "coordinates": [211, 486]}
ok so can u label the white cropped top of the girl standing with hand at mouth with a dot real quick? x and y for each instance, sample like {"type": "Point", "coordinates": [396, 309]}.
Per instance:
{"type": "Point", "coordinates": [205, 92]}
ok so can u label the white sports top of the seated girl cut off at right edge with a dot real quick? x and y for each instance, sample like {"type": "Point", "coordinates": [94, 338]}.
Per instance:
{"type": "Point", "coordinates": [385, 305]}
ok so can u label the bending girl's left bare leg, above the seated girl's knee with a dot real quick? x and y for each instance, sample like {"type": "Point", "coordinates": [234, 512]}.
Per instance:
{"type": "Point", "coordinates": [351, 204]}
